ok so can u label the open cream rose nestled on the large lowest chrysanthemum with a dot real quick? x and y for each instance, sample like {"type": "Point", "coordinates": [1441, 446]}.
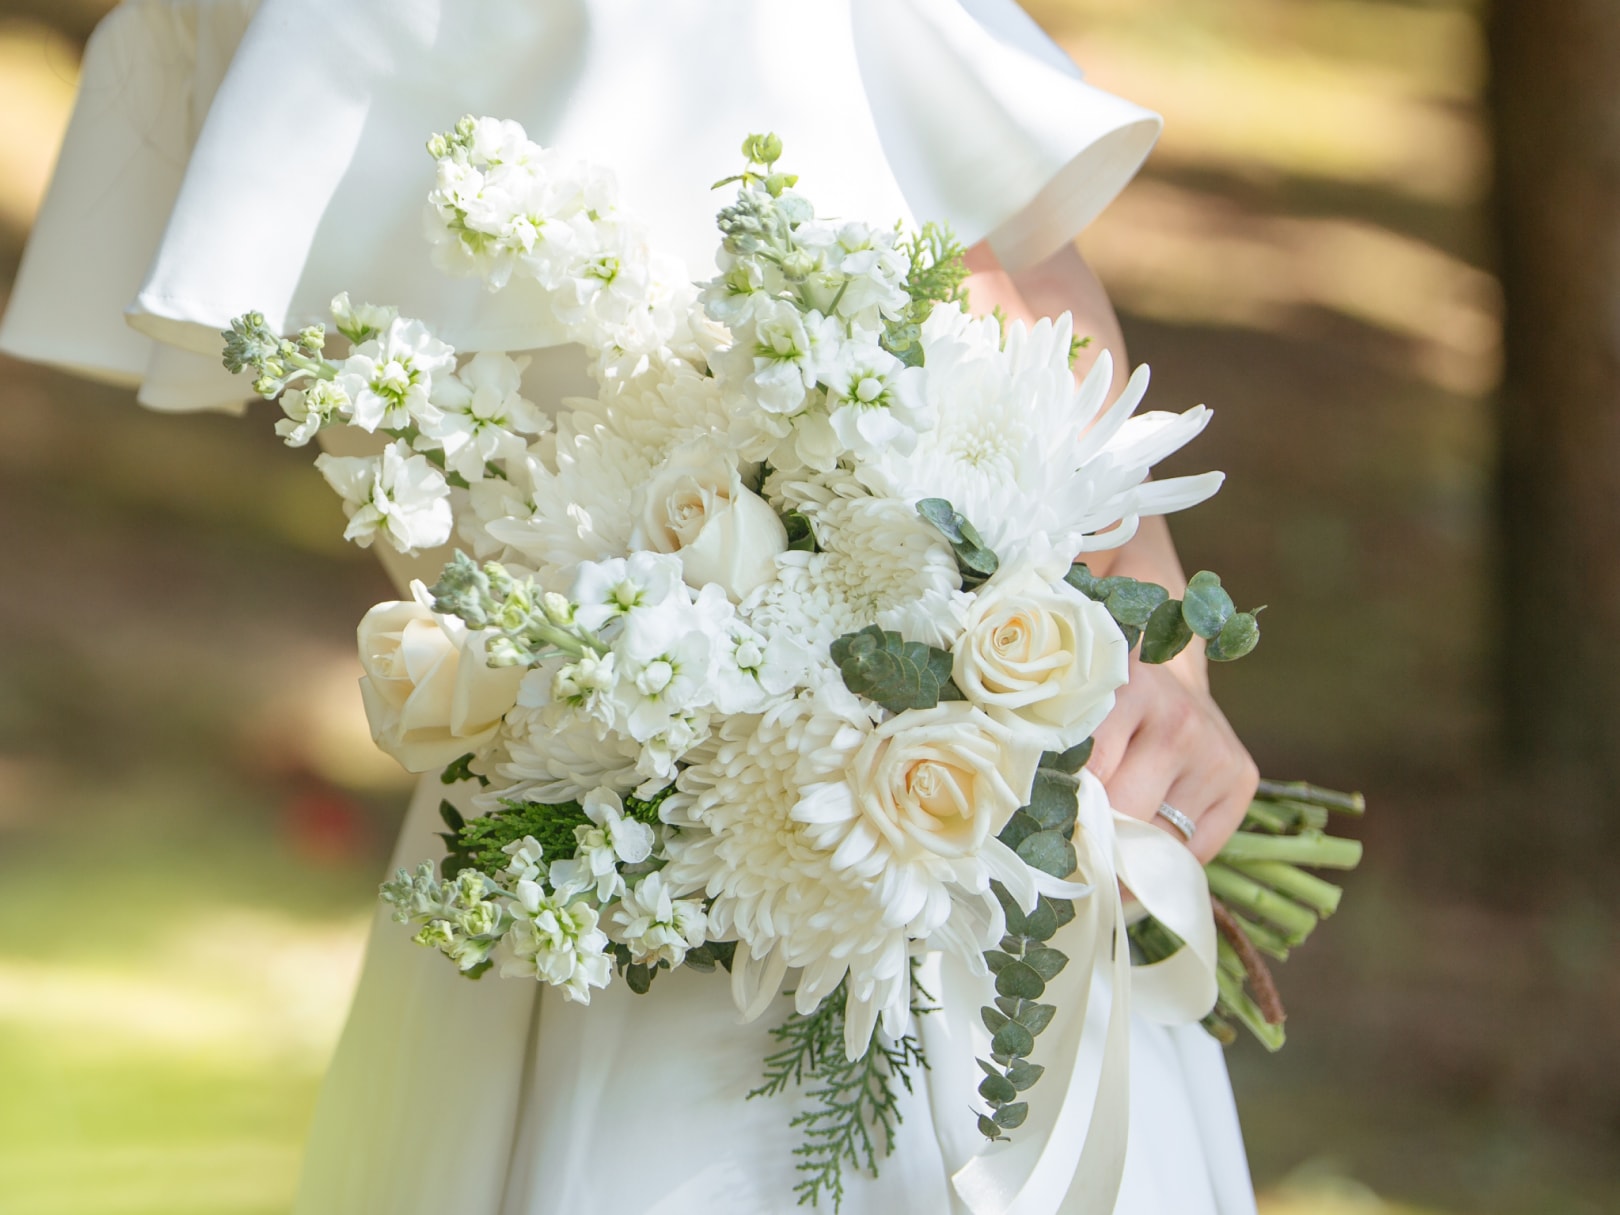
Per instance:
{"type": "Point", "coordinates": [942, 782]}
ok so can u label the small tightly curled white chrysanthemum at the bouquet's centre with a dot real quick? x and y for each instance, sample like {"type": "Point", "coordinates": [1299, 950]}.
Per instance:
{"type": "Point", "coordinates": [880, 565]}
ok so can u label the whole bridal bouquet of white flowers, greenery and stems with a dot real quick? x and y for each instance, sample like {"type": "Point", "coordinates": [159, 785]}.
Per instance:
{"type": "Point", "coordinates": [780, 654]}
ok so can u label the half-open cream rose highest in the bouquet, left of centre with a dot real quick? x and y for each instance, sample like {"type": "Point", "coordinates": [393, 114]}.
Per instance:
{"type": "Point", "coordinates": [697, 508]}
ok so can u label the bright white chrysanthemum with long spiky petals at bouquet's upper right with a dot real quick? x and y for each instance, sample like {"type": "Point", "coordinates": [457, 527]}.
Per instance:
{"type": "Point", "coordinates": [1021, 453]}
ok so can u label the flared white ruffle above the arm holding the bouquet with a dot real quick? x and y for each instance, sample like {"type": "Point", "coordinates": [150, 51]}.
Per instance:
{"type": "Point", "coordinates": [989, 126]}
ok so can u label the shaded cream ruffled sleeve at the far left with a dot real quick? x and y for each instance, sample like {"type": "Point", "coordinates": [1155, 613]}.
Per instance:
{"type": "Point", "coordinates": [147, 83]}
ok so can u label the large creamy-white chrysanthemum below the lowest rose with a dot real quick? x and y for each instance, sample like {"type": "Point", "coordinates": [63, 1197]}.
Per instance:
{"type": "Point", "coordinates": [774, 889]}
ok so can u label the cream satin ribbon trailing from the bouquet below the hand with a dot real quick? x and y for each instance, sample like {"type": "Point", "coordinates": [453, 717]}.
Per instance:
{"type": "Point", "coordinates": [1068, 1157]}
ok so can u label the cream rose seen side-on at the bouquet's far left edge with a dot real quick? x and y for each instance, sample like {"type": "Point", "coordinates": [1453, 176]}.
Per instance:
{"type": "Point", "coordinates": [430, 696]}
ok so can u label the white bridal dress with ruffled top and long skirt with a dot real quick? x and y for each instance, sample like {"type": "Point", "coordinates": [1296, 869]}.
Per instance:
{"type": "Point", "coordinates": [228, 158]}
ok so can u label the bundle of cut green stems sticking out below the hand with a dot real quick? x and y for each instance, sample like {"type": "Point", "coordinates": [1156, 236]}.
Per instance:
{"type": "Point", "coordinates": [1264, 902]}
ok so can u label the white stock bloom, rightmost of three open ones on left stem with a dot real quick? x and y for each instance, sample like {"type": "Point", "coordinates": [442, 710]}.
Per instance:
{"type": "Point", "coordinates": [482, 417]}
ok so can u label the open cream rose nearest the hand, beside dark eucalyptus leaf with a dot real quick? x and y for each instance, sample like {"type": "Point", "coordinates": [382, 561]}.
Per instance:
{"type": "Point", "coordinates": [1041, 655]}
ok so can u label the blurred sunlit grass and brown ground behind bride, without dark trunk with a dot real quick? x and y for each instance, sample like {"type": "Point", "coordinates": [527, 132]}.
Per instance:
{"type": "Point", "coordinates": [194, 821]}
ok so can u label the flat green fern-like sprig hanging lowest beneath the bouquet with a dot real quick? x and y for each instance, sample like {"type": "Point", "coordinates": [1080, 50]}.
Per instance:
{"type": "Point", "coordinates": [855, 1104]}
